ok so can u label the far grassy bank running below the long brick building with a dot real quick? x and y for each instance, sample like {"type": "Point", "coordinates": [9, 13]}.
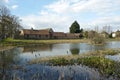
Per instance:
{"type": "Point", "coordinates": [17, 42]}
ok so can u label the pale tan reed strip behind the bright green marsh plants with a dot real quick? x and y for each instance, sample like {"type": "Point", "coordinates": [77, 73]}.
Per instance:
{"type": "Point", "coordinates": [101, 53]}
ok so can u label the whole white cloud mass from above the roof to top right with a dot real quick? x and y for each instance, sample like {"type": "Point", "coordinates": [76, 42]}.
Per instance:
{"type": "Point", "coordinates": [60, 14]}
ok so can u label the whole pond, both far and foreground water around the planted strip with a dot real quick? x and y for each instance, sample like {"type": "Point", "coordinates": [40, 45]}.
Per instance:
{"type": "Point", "coordinates": [14, 62]}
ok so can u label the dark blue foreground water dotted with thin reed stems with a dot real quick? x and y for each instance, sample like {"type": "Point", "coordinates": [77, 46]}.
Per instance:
{"type": "Point", "coordinates": [44, 72]}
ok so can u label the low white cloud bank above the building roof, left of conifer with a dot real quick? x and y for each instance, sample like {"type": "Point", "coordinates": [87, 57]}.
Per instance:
{"type": "Point", "coordinates": [57, 22]}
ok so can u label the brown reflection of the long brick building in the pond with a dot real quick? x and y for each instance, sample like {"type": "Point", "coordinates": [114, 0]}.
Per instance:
{"type": "Point", "coordinates": [44, 47]}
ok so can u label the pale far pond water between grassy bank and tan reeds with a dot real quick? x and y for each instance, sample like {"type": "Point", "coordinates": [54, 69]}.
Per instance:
{"type": "Point", "coordinates": [32, 52]}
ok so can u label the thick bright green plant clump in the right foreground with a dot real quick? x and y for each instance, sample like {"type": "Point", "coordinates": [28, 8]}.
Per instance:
{"type": "Point", "coordinates": [105, 66]}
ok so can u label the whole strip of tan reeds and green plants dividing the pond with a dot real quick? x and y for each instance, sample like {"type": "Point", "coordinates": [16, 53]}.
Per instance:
{"type": "Point", "coordinates": [95, 60]}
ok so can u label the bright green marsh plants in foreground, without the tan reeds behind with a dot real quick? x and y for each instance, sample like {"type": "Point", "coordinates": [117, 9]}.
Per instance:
{"type": "Point", "coordinates": [105, 66]}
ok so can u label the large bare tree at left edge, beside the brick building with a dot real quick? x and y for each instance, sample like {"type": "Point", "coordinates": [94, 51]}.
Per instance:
{"type": "Point", "coordinates": [9, 24]}
